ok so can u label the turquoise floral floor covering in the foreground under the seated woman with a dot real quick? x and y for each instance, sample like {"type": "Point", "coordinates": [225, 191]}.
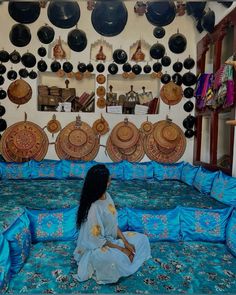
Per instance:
{"type": "Point", "coordinates": [190, 267]}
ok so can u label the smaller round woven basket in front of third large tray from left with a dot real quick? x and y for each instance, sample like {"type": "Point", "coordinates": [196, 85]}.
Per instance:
{"type": "Point", "coordinates": [124, 135]}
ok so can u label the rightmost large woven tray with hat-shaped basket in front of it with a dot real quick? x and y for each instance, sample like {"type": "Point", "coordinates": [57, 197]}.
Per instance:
{"type": "Point", "coordinates": [166, 143]}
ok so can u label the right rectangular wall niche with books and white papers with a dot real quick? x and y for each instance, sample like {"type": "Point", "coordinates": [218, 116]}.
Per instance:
{"type": "Point", "coordinates": [137, 95]}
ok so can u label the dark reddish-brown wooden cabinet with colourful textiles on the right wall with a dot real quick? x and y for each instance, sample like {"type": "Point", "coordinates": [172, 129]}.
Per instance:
{"type": "Point", "coordinates": [216, 52]}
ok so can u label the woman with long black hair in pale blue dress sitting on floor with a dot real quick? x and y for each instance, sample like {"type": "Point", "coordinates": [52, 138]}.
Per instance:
{"type": "Point", "coordinates": [103, 251]}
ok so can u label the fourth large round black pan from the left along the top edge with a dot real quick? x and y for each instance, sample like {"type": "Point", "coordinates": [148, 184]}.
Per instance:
{"type": "Point", "coordinates": [161, 13]}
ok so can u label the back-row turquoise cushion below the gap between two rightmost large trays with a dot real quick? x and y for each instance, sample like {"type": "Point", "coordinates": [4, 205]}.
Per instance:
{"type": "Point", "coordinates": [137, 170]}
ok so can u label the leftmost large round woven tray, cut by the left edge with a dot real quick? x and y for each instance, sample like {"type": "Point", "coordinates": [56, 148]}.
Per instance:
{"type": "Point", "coordinates": [24, 141]}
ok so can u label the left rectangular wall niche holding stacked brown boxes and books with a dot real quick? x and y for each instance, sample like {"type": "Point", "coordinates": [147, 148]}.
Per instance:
{"type": "Point", "coordinates": [63, 94]}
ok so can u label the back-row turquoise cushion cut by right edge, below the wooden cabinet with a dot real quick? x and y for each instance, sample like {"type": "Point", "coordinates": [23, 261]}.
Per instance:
{"type": "Point", "coordinates": [224, 189]}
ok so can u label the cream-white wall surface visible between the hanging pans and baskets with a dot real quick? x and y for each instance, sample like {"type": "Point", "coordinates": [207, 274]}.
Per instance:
{"type": "Point", "coordinates": [137, 27]}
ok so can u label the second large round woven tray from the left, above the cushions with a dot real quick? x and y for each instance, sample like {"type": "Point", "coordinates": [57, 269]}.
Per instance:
{"type": "Point", "coordinates": [75, 140]}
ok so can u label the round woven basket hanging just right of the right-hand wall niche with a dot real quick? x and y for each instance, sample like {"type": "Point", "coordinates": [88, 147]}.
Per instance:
{"type": "Point", "coordinates": [171, 93]}
